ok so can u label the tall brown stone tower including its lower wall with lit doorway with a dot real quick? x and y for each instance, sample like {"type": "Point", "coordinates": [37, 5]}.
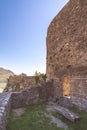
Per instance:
{"type": "Point", "coordinates": [67, 51]}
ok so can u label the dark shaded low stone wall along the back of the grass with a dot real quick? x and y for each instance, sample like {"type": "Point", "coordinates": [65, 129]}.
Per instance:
{"type": "Point", "coordinates": [32, 95]}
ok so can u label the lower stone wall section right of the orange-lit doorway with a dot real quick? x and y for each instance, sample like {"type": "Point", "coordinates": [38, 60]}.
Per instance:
{"type": "Point", "coordinates": [78, 91]}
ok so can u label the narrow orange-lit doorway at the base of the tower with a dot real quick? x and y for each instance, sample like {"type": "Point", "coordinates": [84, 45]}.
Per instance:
{"type": "Point", "coordinates": [66, 86]}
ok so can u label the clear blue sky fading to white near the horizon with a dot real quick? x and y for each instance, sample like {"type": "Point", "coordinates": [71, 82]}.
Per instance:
{"type": "Point", "coordinates": [23, 30]}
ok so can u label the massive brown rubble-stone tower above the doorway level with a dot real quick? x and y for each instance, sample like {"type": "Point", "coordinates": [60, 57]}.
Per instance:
{"type": "Point", "coordinates": [67, 41]}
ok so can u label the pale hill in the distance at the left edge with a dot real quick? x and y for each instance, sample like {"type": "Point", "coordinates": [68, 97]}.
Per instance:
{"type": "Point", "coordinates": [4, 75]}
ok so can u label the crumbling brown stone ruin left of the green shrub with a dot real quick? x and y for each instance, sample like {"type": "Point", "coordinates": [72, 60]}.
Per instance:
{"type": "Point", "coordinates": [18, 82]}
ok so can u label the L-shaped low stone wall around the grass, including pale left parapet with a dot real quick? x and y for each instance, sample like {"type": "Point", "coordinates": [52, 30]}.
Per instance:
{"type": "Point", "coordinates": [31, 95]}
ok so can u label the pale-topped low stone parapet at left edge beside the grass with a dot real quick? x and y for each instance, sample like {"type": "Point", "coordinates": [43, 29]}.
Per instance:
{"type": "Point", "coordinates": [5, 107]}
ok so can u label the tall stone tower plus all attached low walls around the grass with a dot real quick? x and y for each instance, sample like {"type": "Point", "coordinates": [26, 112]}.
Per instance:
{"type": "Point", "coordinates": [66, 65]}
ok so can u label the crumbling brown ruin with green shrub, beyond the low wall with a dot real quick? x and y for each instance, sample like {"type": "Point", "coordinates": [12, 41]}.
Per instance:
{"type": "Point", "coordinates": [18, 82]}
